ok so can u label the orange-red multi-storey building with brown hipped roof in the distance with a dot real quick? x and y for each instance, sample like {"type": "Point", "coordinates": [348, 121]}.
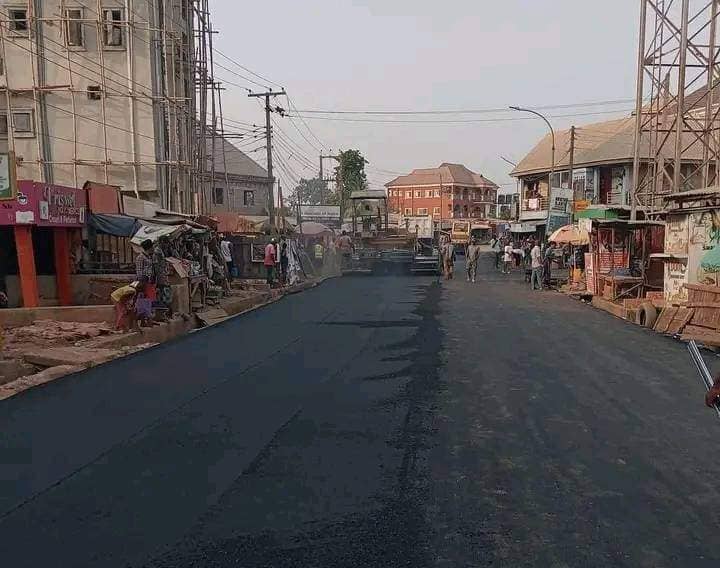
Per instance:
{"type": "Point", "coordinates": [446, 192]}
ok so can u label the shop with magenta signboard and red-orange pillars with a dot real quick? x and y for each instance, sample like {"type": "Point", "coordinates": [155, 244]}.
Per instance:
{"type": "Point", "coordinates": [38, 223]}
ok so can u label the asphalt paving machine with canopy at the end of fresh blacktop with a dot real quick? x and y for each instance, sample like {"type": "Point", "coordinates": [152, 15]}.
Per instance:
{"type": "Point", "coordinates": [380, 249]}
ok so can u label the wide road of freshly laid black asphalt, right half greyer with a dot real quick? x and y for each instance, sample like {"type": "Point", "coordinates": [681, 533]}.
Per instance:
{"type": "Point", "coordinates": [389, 421]}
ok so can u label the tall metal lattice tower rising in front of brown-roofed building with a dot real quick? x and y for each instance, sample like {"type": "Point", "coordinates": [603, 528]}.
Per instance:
{"type": "Point", "coordinates": [677, 137]}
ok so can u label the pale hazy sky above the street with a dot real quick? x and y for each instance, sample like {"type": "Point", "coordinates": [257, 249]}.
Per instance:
{"type": "Point", "coordinates": [422, 55]}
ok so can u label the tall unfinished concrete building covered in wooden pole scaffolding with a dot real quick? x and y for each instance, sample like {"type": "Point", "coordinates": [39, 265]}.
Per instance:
{"type": "Point", "coordinates": [114, 91]}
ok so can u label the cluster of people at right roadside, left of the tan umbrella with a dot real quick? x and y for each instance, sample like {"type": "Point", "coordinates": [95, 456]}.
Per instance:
{"type": "Point", "coordinates": [528, 254]}
